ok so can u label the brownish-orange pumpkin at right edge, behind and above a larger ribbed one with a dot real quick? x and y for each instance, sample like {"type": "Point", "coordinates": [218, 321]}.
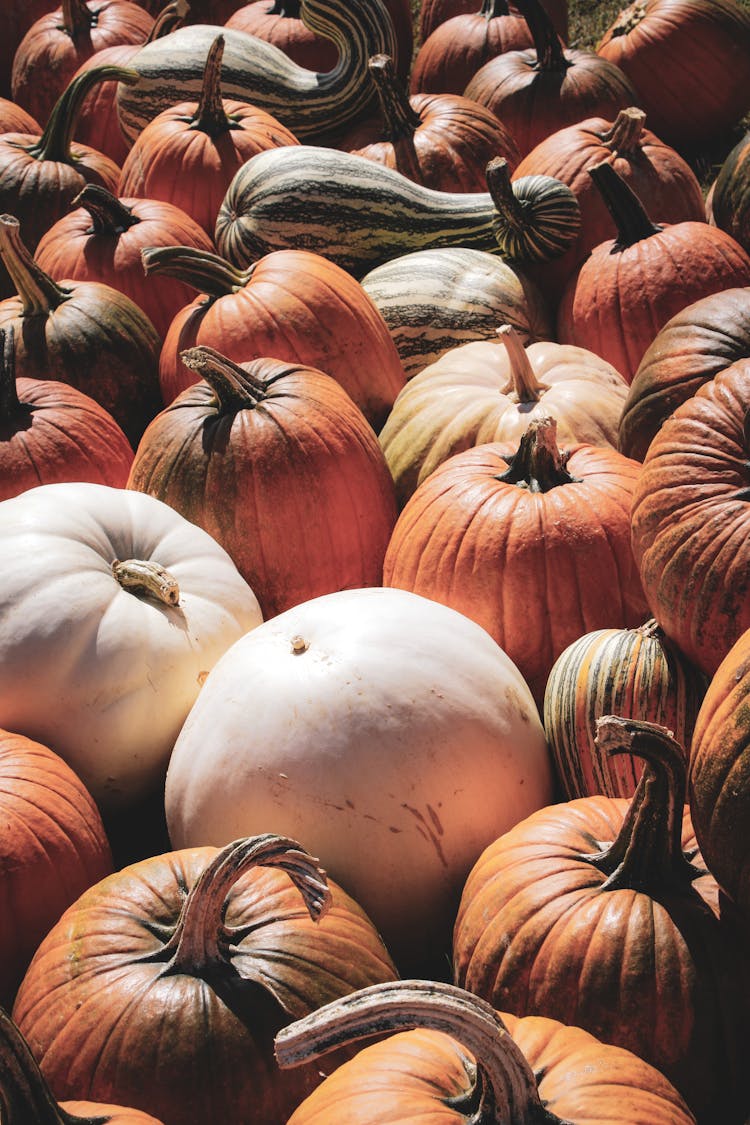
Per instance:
{"type": "Point", "coordinates": [693, 347]}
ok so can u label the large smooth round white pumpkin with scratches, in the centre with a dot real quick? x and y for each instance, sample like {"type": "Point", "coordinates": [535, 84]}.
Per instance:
{"type": "Point", "coordinates": [388, 734]}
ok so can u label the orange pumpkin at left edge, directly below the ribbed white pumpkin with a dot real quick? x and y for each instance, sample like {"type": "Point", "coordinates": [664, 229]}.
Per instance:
{"type": "Point", "coordinates": [52, 848]}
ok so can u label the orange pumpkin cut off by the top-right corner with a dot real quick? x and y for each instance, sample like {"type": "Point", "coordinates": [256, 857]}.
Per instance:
{"type": "Point", "coordinates": [690, 61]}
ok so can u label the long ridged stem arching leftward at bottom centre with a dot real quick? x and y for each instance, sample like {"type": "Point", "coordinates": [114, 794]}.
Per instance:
{"type": "Point", "coordinates": [504, 1078]}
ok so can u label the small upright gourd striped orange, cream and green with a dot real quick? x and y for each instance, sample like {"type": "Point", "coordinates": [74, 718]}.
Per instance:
{"type": "Point", "coordinates": [631, 673]}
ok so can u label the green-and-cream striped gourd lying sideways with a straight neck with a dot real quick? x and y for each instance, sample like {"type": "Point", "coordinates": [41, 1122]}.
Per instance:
{"type": "Point", "coordinates": [360, 214]}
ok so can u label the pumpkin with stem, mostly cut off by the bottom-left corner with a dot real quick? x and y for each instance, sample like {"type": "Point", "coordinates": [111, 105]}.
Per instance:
{"type": "Point", "coordinates": [26, 1096]}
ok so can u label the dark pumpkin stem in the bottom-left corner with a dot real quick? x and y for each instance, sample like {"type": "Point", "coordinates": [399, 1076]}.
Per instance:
{"type": "Point", "coordinates": [25, 1096]}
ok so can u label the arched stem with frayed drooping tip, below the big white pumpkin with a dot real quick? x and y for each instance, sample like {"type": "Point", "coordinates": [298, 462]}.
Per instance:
{"type": "Point", "coordinates": [201, 935]}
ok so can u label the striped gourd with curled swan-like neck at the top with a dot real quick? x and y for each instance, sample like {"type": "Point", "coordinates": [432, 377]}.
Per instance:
{"type": "Point", "coordinates": [312, 105]}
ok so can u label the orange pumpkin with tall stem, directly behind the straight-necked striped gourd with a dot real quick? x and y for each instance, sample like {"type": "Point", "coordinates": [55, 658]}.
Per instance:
{"type": "Point", "coordinates": [441, 141]}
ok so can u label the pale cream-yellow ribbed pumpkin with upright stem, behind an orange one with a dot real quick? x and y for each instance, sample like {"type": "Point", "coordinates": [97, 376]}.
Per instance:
{"type": "Point", "coordinates": [492, 391]}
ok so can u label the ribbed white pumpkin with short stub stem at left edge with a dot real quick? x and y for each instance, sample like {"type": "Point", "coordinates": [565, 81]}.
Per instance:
{"type": "Point", "coordinates": [98, 671]}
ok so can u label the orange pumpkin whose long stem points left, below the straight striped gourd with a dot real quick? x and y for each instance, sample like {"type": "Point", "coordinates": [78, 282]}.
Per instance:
{"type": "Point", "coordinates": [292, 305]}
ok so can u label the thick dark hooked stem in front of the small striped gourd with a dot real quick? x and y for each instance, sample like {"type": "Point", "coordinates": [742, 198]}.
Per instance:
{"type": "Point", "coordinates": [648, 852]}
